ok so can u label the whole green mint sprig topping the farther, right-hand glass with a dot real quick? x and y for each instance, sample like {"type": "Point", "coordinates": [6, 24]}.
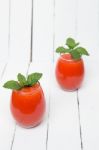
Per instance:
{"type": "Point", "coordinates": [72, 48]}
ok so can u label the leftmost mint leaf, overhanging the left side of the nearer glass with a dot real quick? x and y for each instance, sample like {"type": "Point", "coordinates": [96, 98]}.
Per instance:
{"type": "Point", "coordinates": [14, 85]}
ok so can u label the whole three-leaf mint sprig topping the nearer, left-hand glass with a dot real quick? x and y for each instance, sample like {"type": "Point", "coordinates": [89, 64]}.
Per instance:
{"type": "Point", "coordinates": [31, 80]}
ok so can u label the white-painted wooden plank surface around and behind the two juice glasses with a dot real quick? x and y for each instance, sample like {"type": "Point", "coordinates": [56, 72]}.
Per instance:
{"type": "Point", "coordinates": [72, 118]}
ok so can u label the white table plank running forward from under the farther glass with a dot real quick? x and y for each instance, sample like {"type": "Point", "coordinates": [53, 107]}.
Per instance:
{"type": "Point", "coordinates": [63, 119]}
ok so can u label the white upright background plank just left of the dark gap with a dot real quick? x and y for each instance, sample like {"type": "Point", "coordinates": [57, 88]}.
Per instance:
{"type": "Point", "coordinates": [20, 28]}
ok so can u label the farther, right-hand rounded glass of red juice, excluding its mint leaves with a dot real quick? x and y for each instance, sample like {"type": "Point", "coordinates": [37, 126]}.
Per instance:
{"type": "Point", "coordinates": [69, 72]}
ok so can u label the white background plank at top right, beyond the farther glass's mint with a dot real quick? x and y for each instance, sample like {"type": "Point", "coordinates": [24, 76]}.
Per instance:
{"type": "Point", "coordinates": [88, 25]}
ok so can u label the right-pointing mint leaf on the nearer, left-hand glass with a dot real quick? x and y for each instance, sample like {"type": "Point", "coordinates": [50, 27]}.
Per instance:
{"type": "Point", "coordinates": [33, 78]}
